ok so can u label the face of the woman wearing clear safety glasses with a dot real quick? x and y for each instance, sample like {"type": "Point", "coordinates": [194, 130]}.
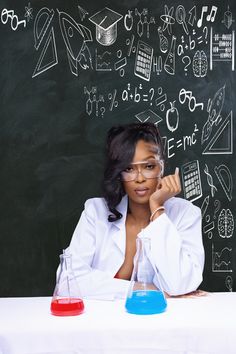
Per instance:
{"type": "Point", "coordinates": [141, 188]}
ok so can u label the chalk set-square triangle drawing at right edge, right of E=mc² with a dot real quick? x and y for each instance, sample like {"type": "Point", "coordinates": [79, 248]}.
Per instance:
{"type": "Point", "coordinates": [222, 140]}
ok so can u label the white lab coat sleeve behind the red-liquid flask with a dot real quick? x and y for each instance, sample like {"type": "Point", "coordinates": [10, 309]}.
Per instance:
{"type": "Point", "coordinates": [93, 283]}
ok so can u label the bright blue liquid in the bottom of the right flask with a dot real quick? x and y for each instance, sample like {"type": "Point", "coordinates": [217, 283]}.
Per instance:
{"type": "Point", "coordinates": [146, 302]}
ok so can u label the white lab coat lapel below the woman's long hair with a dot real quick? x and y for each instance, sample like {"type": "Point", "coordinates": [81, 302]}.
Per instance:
{"type": "Point", "coordinates": [118, 227]}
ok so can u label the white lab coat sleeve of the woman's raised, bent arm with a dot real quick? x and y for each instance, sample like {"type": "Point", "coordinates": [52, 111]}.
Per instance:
{"type": "Point", "coordinates": [177, 250]}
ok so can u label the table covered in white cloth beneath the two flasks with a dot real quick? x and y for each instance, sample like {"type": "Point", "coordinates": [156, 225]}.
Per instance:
{"type": "Point", "coordinates": [200, 325]}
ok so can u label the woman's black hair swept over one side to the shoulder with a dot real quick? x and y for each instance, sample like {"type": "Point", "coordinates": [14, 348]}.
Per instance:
{"type": "Point", "coordinates": [120, 148]}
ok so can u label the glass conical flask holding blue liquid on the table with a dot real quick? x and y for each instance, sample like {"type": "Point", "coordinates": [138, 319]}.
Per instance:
{"type": "Point", "coordinates": [144, 296]}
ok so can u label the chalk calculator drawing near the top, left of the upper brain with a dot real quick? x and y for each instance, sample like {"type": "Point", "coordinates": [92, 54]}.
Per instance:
{"type": "Point", "coordinates": [143, 61]}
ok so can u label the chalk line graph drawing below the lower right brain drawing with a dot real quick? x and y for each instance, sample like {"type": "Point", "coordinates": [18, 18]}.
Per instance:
{"type": "Point", "coordinates": [221, 260]}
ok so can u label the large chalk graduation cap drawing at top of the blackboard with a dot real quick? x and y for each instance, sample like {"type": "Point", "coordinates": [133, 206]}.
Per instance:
{"type": "Point", "coordinates": [106, 25]}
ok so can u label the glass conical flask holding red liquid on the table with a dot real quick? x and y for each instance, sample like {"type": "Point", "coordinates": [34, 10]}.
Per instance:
{"type": "Point", "coordinates": [66, 300]}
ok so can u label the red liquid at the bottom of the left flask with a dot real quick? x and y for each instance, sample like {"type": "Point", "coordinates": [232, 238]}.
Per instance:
{"type": "Point", "coordinates": [67, 307]}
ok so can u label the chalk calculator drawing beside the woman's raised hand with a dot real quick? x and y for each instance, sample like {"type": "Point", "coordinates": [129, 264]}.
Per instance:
{"type": "Point", "coordinates": [191, 180]}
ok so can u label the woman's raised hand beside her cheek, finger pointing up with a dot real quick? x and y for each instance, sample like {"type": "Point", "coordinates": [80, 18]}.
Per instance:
{"type": "Point", "coordinates": [169, 186]}
